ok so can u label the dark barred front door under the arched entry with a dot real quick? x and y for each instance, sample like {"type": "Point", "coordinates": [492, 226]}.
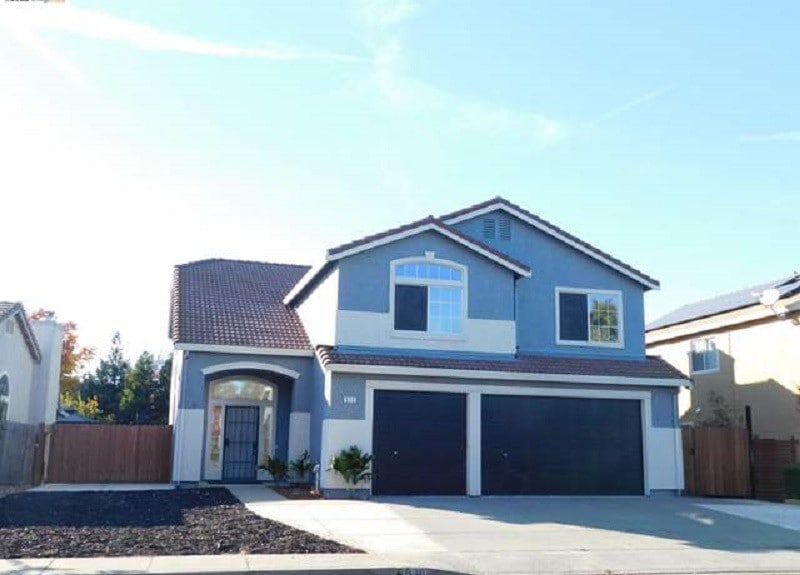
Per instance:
{"type": "Point", "coordinates": [241, 443]}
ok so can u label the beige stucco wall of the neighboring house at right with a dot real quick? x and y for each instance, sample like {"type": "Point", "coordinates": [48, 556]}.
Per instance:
{"type": "Point", "coordinates": [759, 367]}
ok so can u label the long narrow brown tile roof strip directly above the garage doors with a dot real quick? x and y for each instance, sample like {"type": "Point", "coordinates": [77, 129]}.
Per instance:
{"type": "Point", "coordinates": [650, 368]}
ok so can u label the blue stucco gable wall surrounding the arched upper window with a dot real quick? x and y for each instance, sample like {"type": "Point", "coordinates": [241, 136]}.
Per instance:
{"type": "Point", "coordinates": [364, 277]}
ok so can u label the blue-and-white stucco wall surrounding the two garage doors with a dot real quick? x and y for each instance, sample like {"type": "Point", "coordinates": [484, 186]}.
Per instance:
{"type": "Point", "coordinates": [346, 419]}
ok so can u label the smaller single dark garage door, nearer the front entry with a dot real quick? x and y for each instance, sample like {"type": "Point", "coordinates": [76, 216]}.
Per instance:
{"type": "Point", "coordinates": [419, 441]}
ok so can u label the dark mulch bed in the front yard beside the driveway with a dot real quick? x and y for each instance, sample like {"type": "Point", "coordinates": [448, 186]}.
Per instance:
{"type": "Point", "coordinates": [128, 523]}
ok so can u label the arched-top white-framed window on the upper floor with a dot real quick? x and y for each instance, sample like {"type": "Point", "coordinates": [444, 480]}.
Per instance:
{"type": "Point", "coordinates": [428, 296]}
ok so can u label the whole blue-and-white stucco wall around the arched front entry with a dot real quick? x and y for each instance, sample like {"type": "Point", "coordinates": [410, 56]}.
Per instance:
{"type": "Point", "coordinates": [294, 406]}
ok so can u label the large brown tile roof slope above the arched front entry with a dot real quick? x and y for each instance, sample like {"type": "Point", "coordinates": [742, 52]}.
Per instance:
{"type": "Point", "coordinates": [233, 302]}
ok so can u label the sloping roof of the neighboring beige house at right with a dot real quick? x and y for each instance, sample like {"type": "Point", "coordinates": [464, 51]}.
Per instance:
{"type": "Point", "coordinates": [787, 286]}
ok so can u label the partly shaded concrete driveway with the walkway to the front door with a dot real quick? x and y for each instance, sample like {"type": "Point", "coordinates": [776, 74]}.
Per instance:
{"type": "Point", "coordinates": [546, 535]}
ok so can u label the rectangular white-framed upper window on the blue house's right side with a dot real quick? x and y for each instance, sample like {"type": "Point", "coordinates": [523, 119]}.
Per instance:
{"type": "Point", "coordinates": [589, 317]}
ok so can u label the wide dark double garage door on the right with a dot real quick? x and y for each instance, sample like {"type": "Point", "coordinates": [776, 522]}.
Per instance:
{"type": "Point", "coordinates": [559, 445]}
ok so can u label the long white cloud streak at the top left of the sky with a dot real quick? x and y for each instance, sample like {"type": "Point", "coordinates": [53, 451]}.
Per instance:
{"type": "Point", "coordinates": [104, 27]}
